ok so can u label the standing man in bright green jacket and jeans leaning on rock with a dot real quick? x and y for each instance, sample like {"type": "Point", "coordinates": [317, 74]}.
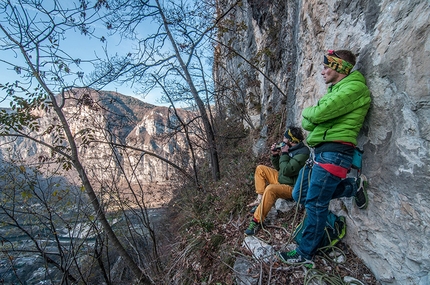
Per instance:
{"type": "Point", "coordinates": [333, 125]}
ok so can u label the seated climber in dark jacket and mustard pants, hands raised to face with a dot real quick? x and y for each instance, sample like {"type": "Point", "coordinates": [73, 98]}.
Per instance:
{"type": "Point", "coordinates": [287, 158]}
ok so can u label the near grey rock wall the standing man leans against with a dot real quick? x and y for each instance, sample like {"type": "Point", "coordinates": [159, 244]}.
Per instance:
{"type": "Point", "coordinates": [392, 41]}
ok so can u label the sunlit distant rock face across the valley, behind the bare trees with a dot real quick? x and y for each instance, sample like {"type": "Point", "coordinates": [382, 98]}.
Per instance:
{"type": "Point", "coordinates": [114, 118]}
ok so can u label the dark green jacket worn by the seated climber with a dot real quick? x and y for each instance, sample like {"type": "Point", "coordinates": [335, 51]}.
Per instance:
{"type": "Point", "coordinates": [289, 164]}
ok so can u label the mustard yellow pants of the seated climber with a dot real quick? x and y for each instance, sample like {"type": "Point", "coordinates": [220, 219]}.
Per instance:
{"type": "Point", "coordinates": [266, 184]}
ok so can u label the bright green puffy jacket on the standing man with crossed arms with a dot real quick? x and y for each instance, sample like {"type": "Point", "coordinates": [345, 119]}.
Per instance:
{"type": "Point", "coordinates": [340, 113]}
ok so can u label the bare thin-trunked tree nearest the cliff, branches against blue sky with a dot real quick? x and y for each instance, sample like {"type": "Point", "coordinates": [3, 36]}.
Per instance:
{"type": "Point", "coordinates": [176, 52]}
